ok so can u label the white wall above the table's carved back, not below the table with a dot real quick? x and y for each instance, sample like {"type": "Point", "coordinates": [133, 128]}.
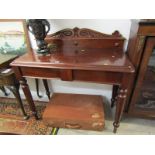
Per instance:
{"type": "Point", "coordinates": [101, 25]}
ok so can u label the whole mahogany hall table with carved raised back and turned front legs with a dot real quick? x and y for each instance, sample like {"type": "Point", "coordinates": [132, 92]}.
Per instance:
{"type": "Point", "coordinates": [90, 57]}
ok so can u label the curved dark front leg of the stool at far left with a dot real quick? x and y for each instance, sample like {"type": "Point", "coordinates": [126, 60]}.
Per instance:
{"type": "Point", "coordinates": [15, 91]}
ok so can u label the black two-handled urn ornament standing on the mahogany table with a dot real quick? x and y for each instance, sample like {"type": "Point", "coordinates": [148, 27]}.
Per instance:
{"type": "Point", "coordinates": [39, 28]}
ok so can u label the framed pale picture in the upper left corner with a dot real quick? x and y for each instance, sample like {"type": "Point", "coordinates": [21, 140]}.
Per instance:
{"type": "Point", "coordinates": [14, 38]}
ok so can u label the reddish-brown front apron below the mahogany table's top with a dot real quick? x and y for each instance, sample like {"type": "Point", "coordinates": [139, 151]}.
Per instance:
{"type": "Point", "coordinates": [71, 75]}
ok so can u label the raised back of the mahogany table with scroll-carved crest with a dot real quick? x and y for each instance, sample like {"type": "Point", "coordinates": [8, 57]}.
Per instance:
{"type": "Point", "coordinates": [69, 40]}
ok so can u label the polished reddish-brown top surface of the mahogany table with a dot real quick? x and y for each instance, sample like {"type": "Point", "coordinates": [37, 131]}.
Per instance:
{"type": "Point", "coordinates": [88, 59]}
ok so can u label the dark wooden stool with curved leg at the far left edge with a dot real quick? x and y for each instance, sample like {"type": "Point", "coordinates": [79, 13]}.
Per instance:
{"type": "Point", "coordinates": [8, 79]}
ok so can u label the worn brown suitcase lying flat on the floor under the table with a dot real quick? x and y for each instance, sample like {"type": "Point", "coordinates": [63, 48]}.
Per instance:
{"type": "Point", "coordinates": [75, 111]}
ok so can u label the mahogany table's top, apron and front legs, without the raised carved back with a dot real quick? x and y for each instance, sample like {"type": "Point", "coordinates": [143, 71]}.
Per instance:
{"type": "Point", "coordinates": [101, 68]}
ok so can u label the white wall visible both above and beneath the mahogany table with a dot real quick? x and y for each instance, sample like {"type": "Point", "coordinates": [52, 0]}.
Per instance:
{"type": "Point", "coordinates": [101, 25]}
